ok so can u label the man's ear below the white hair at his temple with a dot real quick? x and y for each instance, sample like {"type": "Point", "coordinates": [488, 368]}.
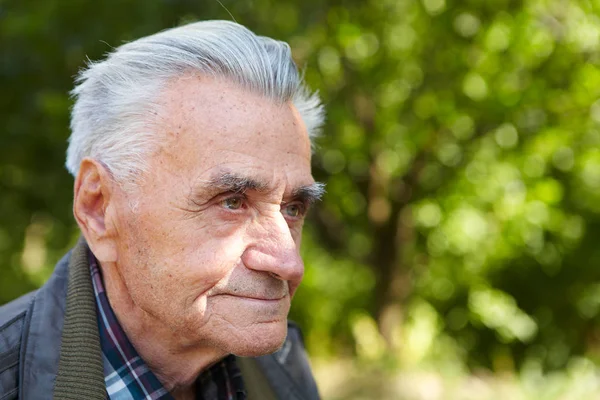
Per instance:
{"type": "Point", "coordinates": [93, 192]}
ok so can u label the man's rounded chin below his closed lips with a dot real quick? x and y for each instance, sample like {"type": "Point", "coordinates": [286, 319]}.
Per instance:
{"type": "Point", "coordinates": [262, 340]}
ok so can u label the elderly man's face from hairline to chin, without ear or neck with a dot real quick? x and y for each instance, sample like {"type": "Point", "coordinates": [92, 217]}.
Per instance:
{"type": "Point", "coordinates": [210, 247]}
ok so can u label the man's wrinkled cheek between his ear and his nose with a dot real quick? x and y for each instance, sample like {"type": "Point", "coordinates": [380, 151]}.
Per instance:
{"type": "Point", "coordinates": [179, 259]}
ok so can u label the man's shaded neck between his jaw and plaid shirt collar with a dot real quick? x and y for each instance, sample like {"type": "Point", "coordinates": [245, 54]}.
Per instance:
{"type": "Point", "coordinates": [175, 363]}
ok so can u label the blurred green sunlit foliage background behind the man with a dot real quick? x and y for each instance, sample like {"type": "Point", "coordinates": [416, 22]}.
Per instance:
{"type": "Point", "coordinates": [456, 254]}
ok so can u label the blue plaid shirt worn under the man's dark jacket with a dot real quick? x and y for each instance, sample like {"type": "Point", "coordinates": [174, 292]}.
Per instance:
{"type": "Point", "coordinates": [128, 377]}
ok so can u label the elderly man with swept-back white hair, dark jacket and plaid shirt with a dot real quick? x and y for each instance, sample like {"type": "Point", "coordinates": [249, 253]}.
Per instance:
{"type": "Point", "coordinates": [191, 151]}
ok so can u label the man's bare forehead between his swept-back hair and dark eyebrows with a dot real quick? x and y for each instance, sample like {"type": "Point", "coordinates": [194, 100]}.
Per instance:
{"type": "Point", "coordinates": [206, 123]}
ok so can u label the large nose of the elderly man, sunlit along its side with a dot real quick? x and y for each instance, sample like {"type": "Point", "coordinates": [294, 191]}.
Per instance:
{"type": "Point", "coordinates": [273, 250]}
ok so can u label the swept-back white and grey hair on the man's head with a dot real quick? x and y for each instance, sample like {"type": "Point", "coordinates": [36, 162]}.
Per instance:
{"type": "Point", "coordinates": [114, 98]}
